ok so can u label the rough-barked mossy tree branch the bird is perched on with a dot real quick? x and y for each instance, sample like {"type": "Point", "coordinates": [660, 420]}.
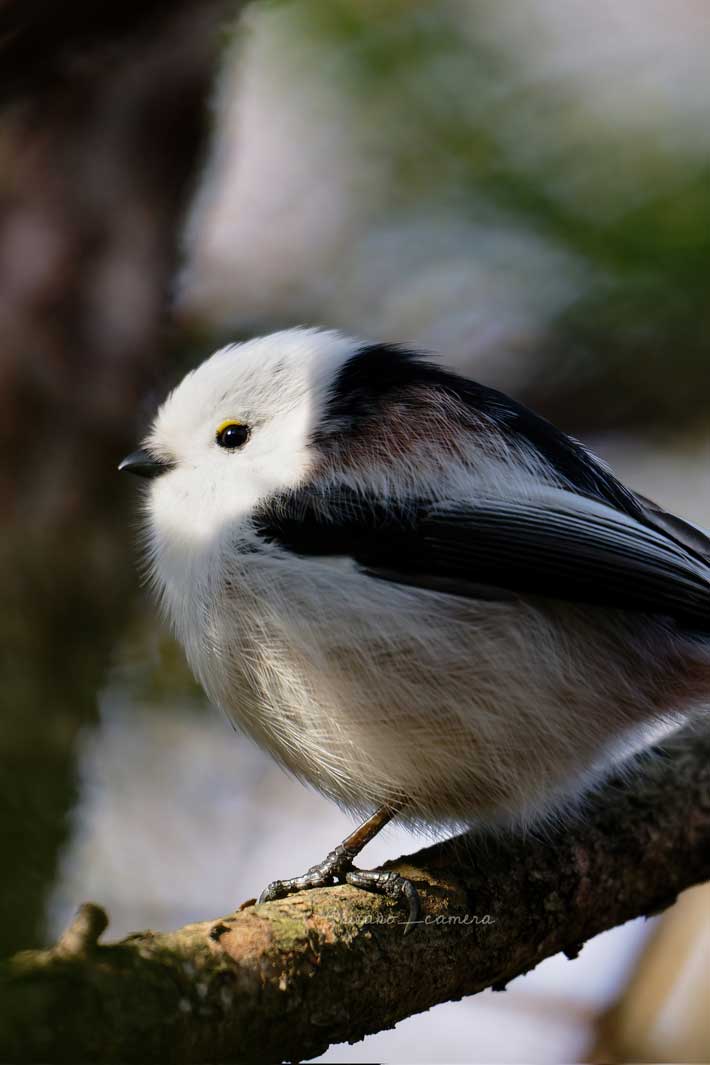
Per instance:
{"type": "Point", "coordinates": [288, 979]}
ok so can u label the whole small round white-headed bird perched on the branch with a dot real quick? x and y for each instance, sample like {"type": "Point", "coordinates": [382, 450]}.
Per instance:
{"type": "Point", "coordinates": [419, 596]}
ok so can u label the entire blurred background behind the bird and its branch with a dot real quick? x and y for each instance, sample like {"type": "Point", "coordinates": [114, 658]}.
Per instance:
{"type": "Point", "coordinates": [524, 188]}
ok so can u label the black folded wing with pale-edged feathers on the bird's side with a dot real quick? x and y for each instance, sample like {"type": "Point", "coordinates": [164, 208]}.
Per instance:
{"type": "Point", "coordinates": [556, 544]}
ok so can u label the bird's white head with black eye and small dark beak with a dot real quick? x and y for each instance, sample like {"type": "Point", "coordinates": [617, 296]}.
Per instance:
{"type": "Point", "coordinates": [238, 431]}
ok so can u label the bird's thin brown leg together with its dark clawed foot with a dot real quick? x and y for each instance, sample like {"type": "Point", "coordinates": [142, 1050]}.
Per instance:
{"type": "Point", "coordinates": [337, 867]}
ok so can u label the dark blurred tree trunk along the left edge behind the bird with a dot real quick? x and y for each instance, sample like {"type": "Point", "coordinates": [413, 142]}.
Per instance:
{"type": "Point", "coordinates": [104, 116]}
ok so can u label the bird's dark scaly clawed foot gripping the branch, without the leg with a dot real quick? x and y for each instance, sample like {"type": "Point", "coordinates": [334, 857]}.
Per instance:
{"type": "Point", "coordinates": [337, 869]}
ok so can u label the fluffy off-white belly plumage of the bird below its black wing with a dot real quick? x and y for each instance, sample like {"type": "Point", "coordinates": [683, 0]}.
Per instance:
{"type": "Point", "coordinates": [375, 693]}
